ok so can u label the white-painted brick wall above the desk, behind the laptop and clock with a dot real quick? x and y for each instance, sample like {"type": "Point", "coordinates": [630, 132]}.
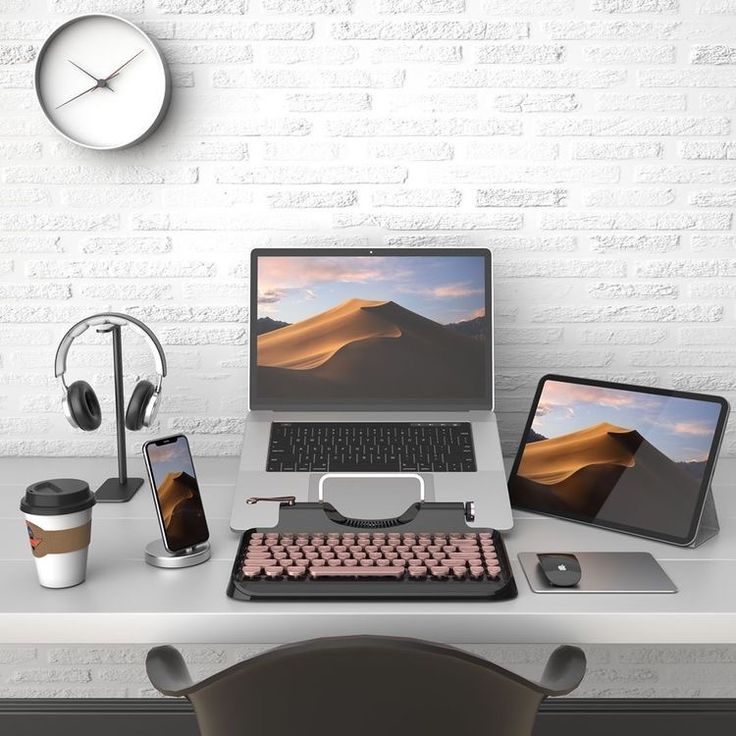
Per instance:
{"type": "Point", "coordinates": [588, 142]}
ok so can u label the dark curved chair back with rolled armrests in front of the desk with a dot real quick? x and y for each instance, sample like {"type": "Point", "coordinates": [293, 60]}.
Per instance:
{"type": "Point", "coordinates": [365, 686]}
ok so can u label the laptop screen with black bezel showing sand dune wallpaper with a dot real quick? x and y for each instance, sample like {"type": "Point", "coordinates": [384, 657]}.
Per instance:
{"type": "Point", "coordinates": [380, 329]}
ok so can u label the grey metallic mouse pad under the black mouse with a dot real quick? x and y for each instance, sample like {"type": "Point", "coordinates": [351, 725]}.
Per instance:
{"type": "Point", "coordinates": [604, 572]}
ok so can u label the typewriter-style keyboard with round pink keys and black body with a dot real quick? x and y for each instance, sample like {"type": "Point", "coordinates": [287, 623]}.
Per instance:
{"type": "Point", "coordinates": [428, 552]}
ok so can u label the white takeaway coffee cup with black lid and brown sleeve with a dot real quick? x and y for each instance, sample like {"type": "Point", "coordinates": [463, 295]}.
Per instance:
{"type": "Point", "coordinates": [58, 517]}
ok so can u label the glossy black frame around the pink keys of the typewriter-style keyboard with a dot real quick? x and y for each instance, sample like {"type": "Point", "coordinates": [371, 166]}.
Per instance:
{"type": "Point", "coordinates": [420, 517]}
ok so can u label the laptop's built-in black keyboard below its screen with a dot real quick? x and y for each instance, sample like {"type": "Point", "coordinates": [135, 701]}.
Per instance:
{"type": "Point", "coordinates": [355, 447]}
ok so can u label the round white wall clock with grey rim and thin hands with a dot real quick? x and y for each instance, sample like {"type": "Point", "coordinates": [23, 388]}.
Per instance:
{"type": "Point", "coordinates": [102, 82]}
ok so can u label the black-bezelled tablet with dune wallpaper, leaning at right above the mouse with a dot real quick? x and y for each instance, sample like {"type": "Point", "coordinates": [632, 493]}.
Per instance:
{"type": "Point", "coordinates": [630, 458]}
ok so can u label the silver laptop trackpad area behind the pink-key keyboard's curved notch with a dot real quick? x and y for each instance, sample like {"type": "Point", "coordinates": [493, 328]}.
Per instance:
{"type": "Point", "coordinates": [369, 496]}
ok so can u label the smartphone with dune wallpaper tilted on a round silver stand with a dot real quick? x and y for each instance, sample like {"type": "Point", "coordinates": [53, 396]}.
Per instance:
{"type": "Point", "coordinates": [175, 492]}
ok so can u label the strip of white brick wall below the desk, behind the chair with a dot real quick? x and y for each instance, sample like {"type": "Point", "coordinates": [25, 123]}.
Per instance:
{"type": "Point", "coordinates": [614, 671]}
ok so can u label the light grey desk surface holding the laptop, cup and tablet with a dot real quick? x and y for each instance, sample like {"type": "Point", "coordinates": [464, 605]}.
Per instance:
{"type": "Point", "coordinates": [126, 601]}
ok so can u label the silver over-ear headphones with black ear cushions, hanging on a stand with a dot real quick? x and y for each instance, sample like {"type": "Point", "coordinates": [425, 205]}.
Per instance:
{"type": "Point", "coordinates": [81, 407]}
